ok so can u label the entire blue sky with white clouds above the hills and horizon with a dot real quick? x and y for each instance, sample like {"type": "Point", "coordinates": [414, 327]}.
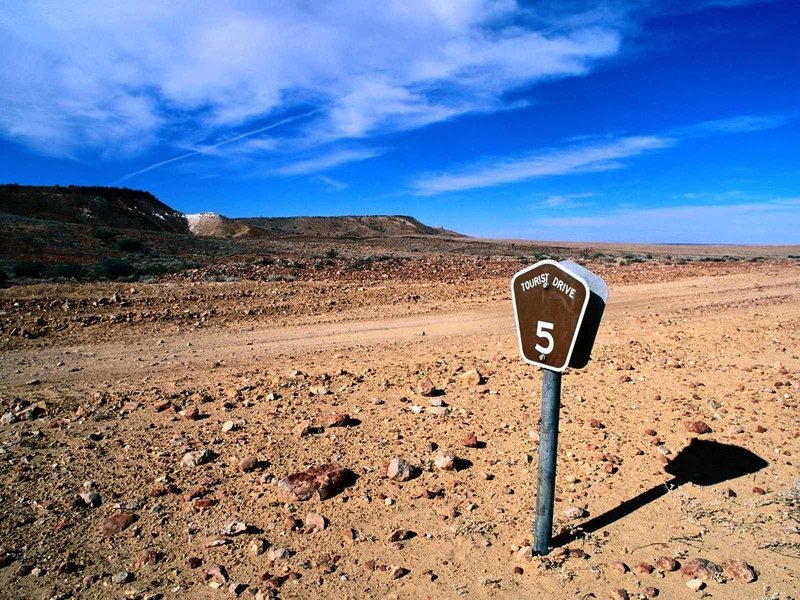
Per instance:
{"type": "Point", "coordinates": [638, 121]}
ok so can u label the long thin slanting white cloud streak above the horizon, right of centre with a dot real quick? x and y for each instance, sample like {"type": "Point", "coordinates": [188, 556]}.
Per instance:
{"type": "Point", "coordinates": [561, 161]}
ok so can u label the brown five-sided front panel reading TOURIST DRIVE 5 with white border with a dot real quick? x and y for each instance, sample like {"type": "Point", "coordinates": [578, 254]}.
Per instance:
{"type": "Point", "coordinates": [549, 305]}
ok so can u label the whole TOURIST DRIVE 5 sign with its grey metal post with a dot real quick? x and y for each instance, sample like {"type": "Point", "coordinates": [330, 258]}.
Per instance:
{"type": "Point", "coordinates": [558, 307]}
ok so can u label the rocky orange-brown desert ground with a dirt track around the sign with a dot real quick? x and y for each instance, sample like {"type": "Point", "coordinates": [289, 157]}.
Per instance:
{"type": "Point", "coordinates": [148, 431]}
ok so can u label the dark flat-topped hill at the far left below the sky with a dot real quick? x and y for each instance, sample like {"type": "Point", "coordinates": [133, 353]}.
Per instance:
{"type": "Point", "coordinates": [118, 208]}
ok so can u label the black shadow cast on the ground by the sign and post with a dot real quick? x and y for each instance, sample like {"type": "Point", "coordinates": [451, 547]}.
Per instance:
{"type": "Point", "coordinates": [702, 462]}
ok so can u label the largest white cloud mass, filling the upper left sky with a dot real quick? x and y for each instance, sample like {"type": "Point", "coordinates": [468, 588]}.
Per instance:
{"type": "Point", "coordinates": [110, 77]}
